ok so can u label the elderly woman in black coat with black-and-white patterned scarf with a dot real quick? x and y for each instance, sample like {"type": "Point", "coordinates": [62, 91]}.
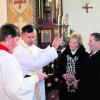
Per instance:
{"type": "Point", "coordinates": [70, 63]}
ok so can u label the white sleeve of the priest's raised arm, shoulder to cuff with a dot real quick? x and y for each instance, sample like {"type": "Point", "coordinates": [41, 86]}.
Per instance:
{"type": "Point", "coordinates": [35, 62]}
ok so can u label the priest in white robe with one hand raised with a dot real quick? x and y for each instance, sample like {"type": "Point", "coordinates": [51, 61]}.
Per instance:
{"type": "Point", "coordinates": [32, 58]}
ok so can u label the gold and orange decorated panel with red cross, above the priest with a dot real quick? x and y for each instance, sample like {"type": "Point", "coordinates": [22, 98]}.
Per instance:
{"type": "Point", "coordinates": [20, 12]}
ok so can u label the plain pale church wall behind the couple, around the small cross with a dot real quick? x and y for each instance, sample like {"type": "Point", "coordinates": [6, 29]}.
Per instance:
{"type": "Point", "coordinates": [81, 21]}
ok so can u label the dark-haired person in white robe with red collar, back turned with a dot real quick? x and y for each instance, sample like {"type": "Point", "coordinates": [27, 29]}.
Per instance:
{"type": "Point", "coordinates": [13, 86]}
